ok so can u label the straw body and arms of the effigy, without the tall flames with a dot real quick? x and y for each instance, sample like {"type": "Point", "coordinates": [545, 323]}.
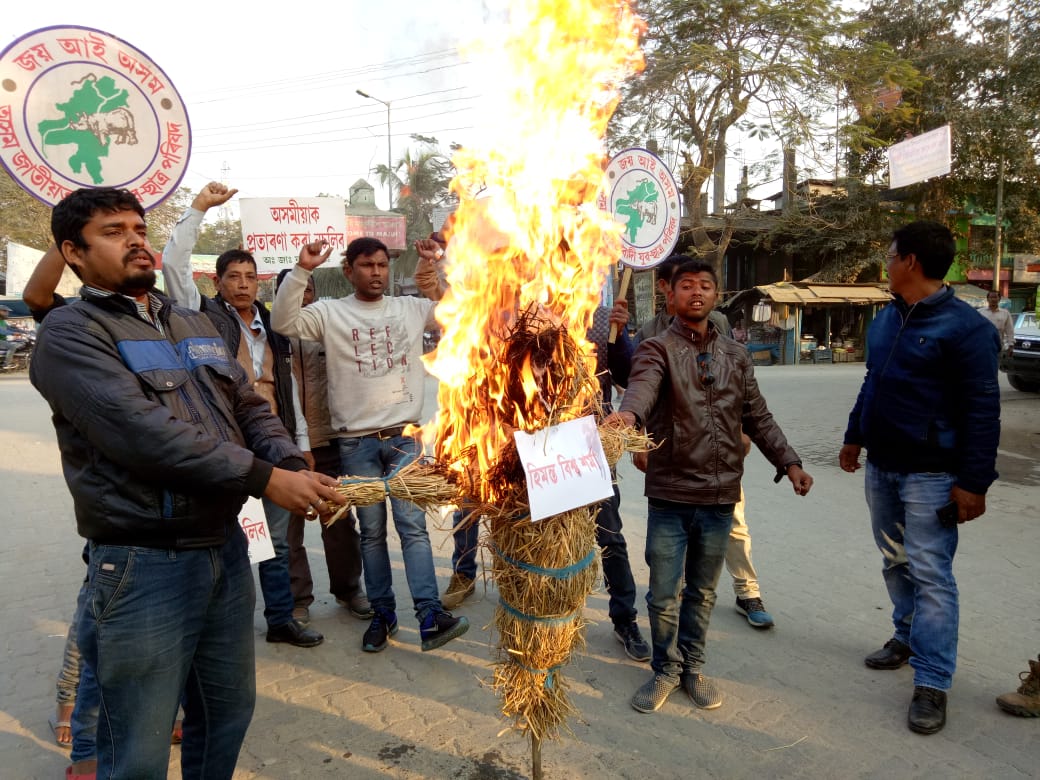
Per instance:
{"type": "Point", "coordinates": [544, 571]}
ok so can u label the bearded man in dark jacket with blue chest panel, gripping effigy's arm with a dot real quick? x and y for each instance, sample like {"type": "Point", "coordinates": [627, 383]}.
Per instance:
{"type": "Point", "coordinates": [162, 440]}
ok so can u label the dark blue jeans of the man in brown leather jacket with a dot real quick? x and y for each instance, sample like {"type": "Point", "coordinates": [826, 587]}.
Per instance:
{"type": "Point", "coordinates": [687, 540]}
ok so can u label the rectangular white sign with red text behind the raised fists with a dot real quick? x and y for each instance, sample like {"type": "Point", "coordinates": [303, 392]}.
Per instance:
{"type": "Point", "coordinates": [275, 229]}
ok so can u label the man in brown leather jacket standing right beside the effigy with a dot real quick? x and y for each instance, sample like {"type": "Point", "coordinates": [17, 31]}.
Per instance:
{"type": "Point", "coordinates": [694, 391]}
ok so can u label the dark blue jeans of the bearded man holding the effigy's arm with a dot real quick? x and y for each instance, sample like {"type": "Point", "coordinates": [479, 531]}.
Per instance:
{"type": "Point", "coordinates": [159, 625]}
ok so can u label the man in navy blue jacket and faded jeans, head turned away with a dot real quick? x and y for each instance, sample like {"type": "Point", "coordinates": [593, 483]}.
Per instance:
{"type": "Point", "coordinates": [929, 414]}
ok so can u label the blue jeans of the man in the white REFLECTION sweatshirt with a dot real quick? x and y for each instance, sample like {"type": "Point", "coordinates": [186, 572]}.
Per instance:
{"type": "Point", "coordinates": [370, 456]}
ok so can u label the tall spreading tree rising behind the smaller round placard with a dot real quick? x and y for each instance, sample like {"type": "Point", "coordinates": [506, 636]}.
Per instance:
{"type": "Point", "coordinates": [759, 66]}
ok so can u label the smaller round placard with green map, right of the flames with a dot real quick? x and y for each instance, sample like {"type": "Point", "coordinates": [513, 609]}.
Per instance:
{"type": "Point", "coordinates": [644, 197]}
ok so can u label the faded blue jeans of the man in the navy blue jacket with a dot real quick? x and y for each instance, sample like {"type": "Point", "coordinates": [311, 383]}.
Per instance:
{"type": "Point", "coordinates": [918, 564]}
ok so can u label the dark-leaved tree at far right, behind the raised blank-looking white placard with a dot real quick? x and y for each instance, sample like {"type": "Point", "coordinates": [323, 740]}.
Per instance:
{"type": "Point", "coordinates": [964, 74]}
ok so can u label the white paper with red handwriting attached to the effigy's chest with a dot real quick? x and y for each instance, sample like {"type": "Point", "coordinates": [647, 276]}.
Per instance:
{"type": "Point", "coordinates": [565, 466]}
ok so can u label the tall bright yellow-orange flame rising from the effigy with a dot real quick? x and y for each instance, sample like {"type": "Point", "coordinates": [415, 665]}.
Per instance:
{"type": "Point", "coordinates": [535, 254]}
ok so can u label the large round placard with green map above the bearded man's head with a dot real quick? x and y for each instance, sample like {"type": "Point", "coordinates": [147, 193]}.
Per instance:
{"type": "Point", "coordinates": [83, 109]}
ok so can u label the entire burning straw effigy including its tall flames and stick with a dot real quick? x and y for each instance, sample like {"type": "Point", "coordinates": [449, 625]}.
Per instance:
{"type": "Point", "coordinates": [525, 270]}
